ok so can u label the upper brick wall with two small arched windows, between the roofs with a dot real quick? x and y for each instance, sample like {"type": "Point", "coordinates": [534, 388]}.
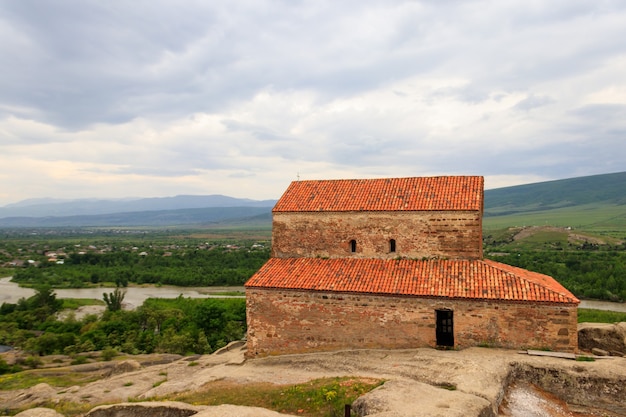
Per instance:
{"type": "Point", "coordinates": [451, 235]}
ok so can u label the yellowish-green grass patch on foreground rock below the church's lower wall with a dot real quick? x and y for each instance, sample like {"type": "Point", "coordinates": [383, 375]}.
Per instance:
{"type": "Point", "coordinates": [317, 398]}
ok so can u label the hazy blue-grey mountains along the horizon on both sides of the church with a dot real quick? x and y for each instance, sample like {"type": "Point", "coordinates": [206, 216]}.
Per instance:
{"type": "Point", "coordinates": [219, 209]}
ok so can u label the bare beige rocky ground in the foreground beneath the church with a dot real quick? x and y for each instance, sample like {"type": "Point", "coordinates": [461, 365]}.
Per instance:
{"type": "Point", "coordinates": [420, 382]}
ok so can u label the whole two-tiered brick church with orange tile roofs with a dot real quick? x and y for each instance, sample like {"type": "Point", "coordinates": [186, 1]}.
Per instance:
{"type": "Point", "coordinates": [396, 263]}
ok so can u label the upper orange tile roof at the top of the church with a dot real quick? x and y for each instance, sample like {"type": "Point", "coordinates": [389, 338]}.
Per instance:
{"type": "Point", "coordinates": [386, 194]}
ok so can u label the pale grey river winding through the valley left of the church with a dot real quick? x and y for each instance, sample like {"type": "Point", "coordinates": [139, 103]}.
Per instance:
{"type": "Point", "coordinates": [10, 292]}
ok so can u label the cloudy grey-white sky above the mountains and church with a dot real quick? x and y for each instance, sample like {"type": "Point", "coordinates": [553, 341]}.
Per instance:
{"type": "Point", "coordinates": [158, 98]}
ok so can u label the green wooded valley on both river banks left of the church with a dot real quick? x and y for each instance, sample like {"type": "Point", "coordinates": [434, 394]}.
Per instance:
{"type": "Point", "coordinates": [77, 259]}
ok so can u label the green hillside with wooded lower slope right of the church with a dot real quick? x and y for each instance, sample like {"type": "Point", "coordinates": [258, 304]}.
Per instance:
{"type": "Point", "coordinates": [573, 230]}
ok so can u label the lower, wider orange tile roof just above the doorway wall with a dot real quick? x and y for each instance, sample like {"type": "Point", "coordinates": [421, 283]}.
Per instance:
{"type": "Point", "coordinates": [466, 279]}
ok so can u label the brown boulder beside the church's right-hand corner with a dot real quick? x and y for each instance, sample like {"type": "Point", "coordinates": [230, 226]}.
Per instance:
{"type": "Point", "coordinates": [605, 336]}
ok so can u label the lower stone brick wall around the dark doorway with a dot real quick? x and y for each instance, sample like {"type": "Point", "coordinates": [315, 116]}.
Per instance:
{"type": "Point", "coordinates": [287, 321]}
